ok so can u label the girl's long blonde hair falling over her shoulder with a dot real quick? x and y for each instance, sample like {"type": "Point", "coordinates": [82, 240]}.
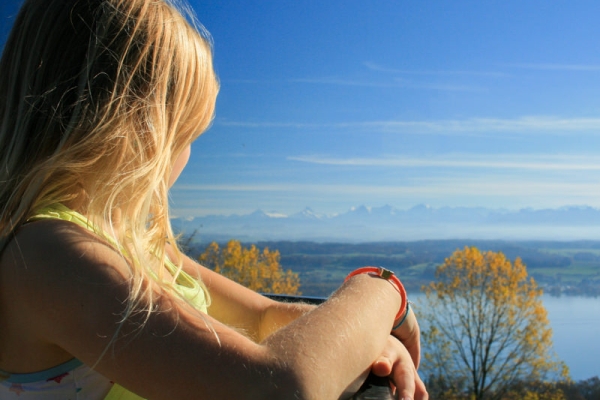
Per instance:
{"type": "Point", "coordinates": [97, 100]}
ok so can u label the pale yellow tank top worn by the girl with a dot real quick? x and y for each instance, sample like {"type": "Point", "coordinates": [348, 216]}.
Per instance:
{"type": "Point", "coordinates": [186, 285]}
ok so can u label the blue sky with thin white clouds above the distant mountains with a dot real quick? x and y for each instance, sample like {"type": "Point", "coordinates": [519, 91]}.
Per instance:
{"type": "Point", "coordinates": [333, 104]}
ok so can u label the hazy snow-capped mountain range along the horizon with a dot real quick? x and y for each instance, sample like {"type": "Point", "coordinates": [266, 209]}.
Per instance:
{"type": "Point", "coordinates": [387, 223]}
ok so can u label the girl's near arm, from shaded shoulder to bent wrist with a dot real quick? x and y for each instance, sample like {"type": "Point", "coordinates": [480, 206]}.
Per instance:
{"type": "Point", "coordinates": [71, 289]}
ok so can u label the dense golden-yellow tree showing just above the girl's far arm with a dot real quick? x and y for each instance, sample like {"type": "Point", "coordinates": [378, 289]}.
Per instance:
{"type": "Point", "coordinates": [259, 271]}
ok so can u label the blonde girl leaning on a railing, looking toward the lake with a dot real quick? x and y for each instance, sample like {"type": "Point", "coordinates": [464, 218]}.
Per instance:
{"type": "Point", "coordinates": [99, 103]}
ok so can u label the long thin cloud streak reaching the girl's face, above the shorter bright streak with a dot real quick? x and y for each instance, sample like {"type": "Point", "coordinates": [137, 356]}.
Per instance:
{"type": "Point", "coordinates": [522, 125]}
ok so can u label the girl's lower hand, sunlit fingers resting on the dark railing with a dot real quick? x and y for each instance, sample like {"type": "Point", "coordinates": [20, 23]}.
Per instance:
{"type": "Point", "coordinates": [396, 363]}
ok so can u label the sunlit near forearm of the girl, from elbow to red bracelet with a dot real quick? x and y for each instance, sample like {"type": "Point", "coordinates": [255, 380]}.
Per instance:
{"type": "Point", "coordinates": [339, 339]}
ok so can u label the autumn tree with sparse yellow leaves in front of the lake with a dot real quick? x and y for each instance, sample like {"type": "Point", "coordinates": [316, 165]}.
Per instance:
{"type": "Point", "coordinates": [485, 326]}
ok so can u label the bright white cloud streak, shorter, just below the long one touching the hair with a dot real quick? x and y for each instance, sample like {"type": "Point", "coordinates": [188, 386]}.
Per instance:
{"type": "Point", "coordinates": [495, 161]}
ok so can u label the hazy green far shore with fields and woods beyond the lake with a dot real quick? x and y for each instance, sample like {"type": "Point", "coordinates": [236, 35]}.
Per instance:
{"type": "Point", "coordinates": [567, 268]}
